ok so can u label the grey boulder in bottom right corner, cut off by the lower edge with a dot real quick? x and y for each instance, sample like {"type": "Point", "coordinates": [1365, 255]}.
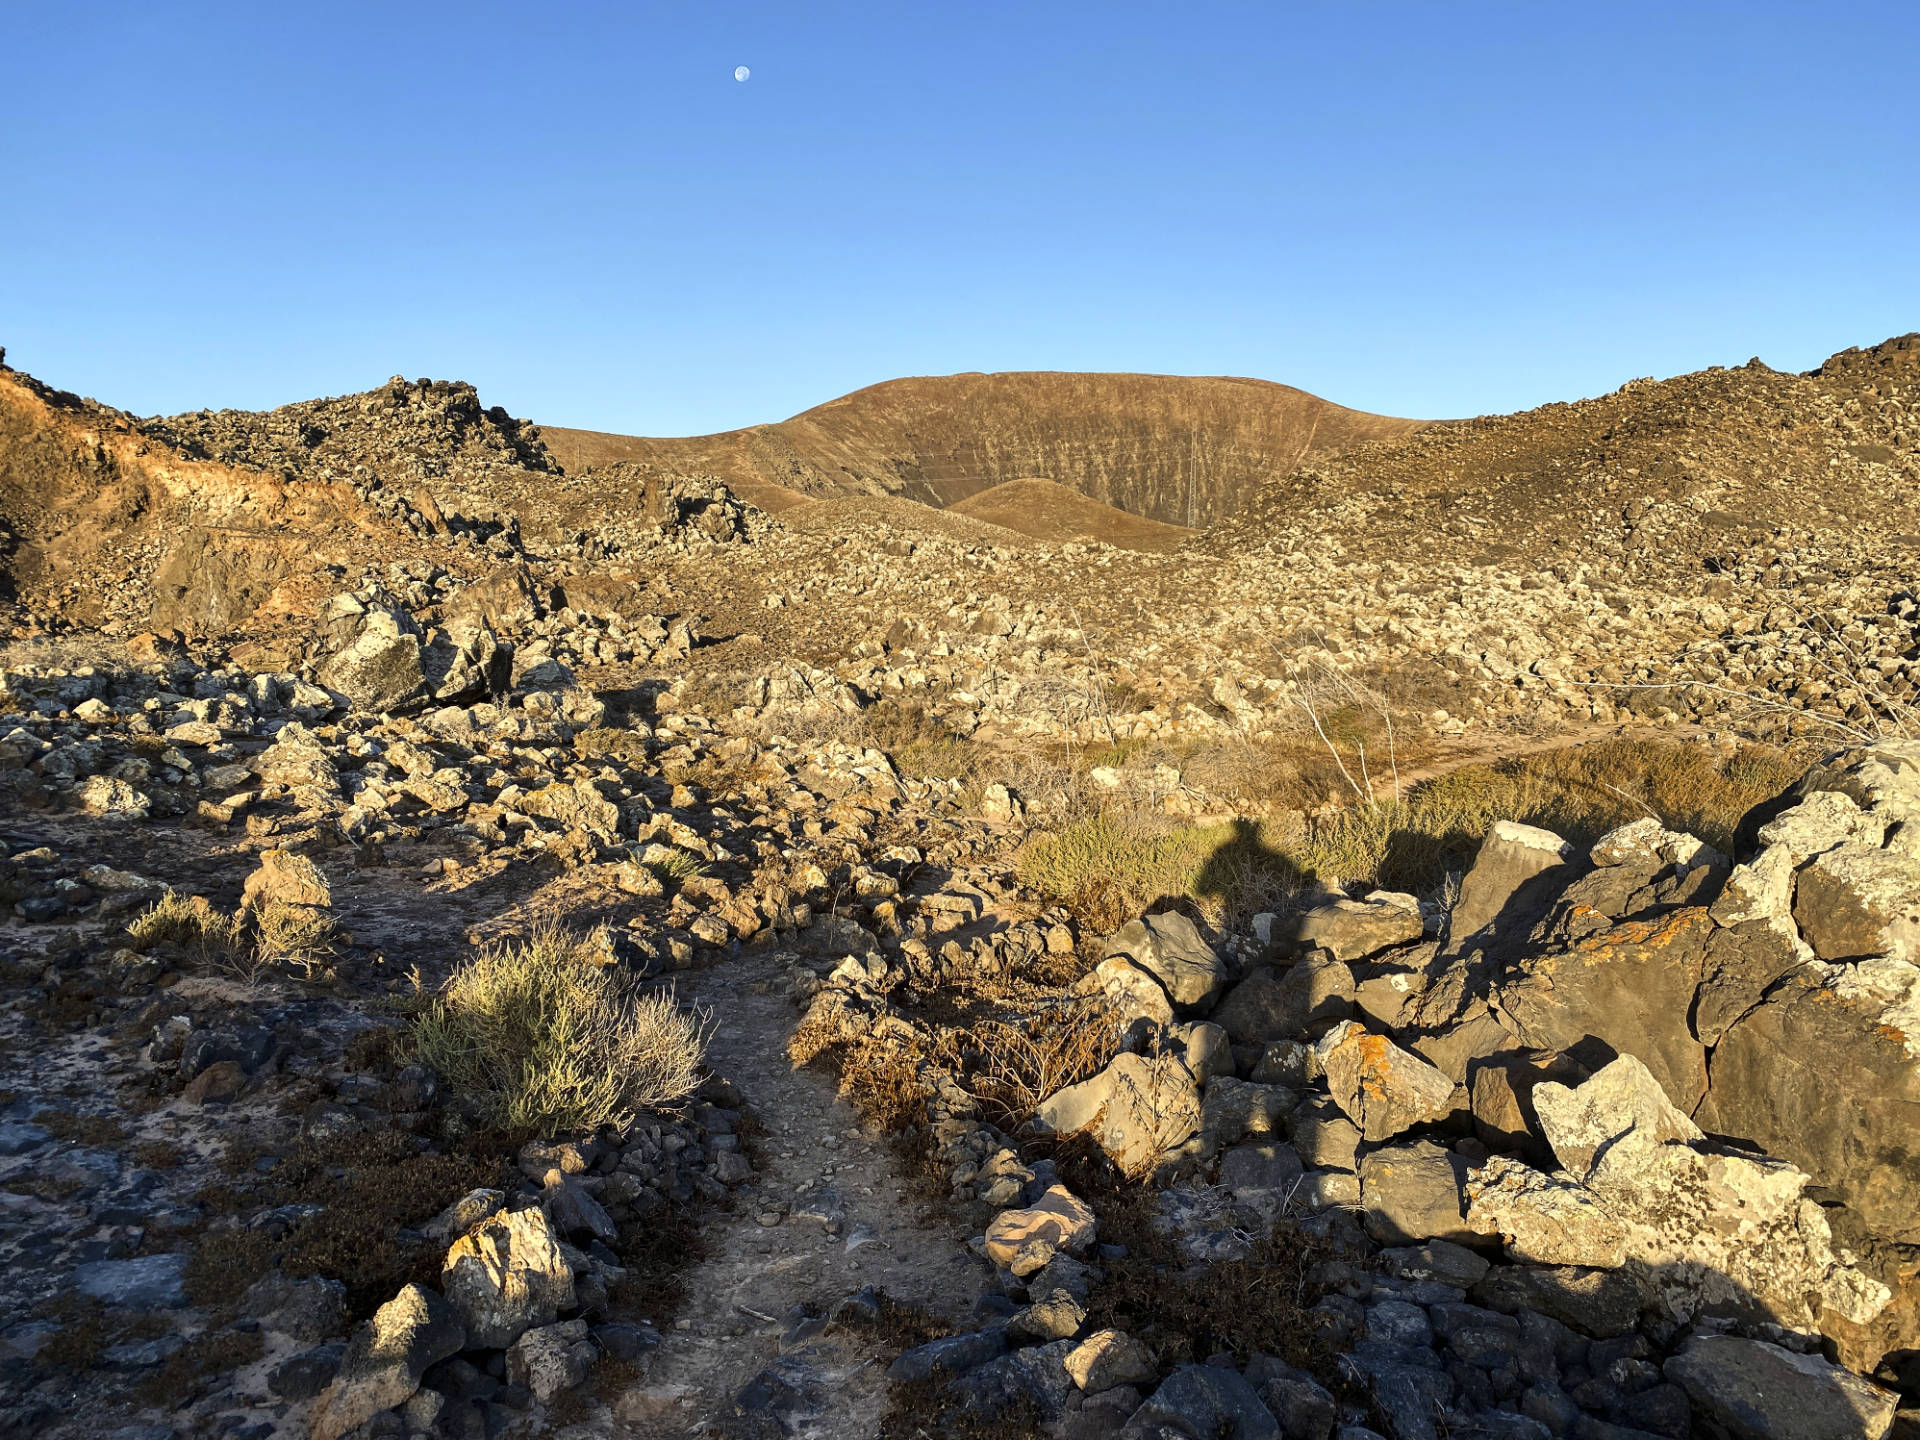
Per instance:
{"type": "Point", "coordinates": [1758, 1391]}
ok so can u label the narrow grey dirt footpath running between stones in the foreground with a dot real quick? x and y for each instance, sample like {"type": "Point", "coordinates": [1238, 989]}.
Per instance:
{"type": "Point", "coordinates": [846, 1220]}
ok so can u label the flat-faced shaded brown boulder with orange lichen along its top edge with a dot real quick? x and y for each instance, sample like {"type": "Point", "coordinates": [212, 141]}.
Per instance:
{"type": "Point", "coordinates": [1629, 986]}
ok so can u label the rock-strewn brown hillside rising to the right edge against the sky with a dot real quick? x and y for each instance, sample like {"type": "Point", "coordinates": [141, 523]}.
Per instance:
{"type": "Point", "coordinates": [1691, 469]}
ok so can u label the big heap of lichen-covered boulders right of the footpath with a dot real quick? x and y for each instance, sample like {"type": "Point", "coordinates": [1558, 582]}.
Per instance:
{"type": "Point", "coordinates": [1618, 1145]}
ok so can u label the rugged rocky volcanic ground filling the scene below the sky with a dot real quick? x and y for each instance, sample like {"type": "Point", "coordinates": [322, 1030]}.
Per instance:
{"type": "Point", "coordinates": [312, 717]}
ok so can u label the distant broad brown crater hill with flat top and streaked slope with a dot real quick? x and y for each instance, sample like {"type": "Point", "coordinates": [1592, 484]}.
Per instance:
{"type": "Point", "coordinates": [1168, 448]}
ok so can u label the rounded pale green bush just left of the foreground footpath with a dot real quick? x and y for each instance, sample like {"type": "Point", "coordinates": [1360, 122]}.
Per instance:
{"type": "Point", "coordinates": [552, 1042]}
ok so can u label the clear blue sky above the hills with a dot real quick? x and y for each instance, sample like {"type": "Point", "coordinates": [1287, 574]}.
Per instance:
{"type": "Point", "coordinates": [1412, 208]}
